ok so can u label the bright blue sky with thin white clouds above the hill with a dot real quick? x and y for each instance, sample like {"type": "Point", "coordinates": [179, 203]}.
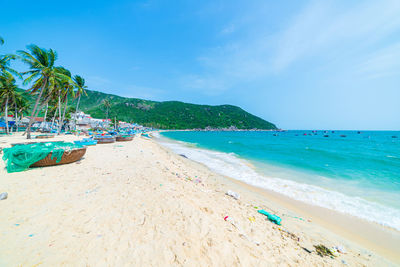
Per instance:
{"type": "Point", "coordinates": [299, 64]}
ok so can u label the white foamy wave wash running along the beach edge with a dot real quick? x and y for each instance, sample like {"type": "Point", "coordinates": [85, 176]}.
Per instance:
{"type": "Point", "coordinates": [231, 165]}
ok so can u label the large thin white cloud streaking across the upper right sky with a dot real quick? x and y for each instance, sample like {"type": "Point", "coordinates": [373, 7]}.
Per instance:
{"type": "Point", "coordinates": [322, 34]}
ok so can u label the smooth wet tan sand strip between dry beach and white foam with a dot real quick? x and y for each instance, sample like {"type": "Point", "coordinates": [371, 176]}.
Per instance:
{"type": "Point", "coordinates": [370, 235]}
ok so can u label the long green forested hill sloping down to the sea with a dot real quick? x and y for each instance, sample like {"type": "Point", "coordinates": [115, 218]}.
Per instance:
{"type": "Point", "coordinates": [170, 114]}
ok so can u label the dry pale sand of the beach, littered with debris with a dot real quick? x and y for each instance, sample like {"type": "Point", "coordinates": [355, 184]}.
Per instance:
{"type": "Point", "coordinates": [138, 204]}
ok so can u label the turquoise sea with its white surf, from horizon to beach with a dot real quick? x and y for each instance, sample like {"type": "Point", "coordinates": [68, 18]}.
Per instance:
{"type": "Point", "coordinates": [352, 172]}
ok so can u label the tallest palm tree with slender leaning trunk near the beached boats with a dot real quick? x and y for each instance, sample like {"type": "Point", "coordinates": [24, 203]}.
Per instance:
{"type": "Point", "coordinates": [42, 73]}
